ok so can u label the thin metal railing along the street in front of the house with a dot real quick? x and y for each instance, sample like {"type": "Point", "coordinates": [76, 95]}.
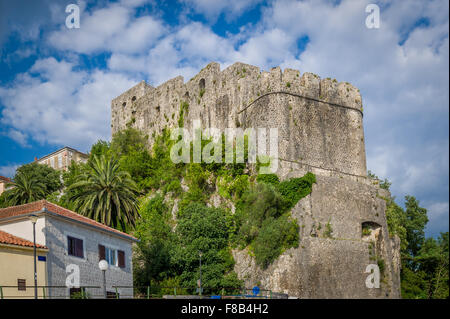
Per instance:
{"type": "Point", "coordinates": [135, 292]}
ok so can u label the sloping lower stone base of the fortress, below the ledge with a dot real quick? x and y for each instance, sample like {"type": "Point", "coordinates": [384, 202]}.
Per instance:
{"type": "Point", "coordinates": [331, 267]}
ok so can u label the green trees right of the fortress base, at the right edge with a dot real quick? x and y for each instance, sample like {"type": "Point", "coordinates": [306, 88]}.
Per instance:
{"type": "Point", "coordinates": [424, 272]}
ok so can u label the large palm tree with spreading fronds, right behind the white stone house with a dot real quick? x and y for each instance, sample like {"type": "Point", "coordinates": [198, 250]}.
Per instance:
{"type": "Point", "coordinates": [106, 194]}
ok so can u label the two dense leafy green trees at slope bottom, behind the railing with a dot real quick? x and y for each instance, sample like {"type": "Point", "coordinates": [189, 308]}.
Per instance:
{"type": "Point", "coordinates": [172, 258]}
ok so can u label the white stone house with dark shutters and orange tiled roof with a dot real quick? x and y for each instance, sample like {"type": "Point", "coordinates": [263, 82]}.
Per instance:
{"type": "Point", "coordinates": [78, 241]}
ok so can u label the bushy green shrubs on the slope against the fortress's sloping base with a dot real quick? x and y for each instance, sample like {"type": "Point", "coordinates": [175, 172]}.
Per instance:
{"type": "Point", "coordinates": [263, 219]}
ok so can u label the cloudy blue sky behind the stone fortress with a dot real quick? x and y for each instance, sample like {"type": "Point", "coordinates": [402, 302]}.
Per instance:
{"type": "Point", "coordinates": [56, 83]}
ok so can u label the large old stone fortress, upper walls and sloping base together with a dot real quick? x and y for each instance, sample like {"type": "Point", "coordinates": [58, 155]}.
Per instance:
{"type": "Point", "coordinates": [320, 129]}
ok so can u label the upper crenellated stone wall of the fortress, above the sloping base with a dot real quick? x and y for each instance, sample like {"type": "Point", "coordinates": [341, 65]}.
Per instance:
{"type": "Point", "coordinates": [319, 121]}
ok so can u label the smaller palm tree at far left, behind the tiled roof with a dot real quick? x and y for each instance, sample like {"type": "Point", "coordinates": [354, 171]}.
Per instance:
{"type": "Point", "coordinates": [24, 189]}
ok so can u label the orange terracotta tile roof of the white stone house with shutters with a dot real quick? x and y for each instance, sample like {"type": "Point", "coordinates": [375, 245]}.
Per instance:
{"type": "Point", "coordinates": [53, 208]}
